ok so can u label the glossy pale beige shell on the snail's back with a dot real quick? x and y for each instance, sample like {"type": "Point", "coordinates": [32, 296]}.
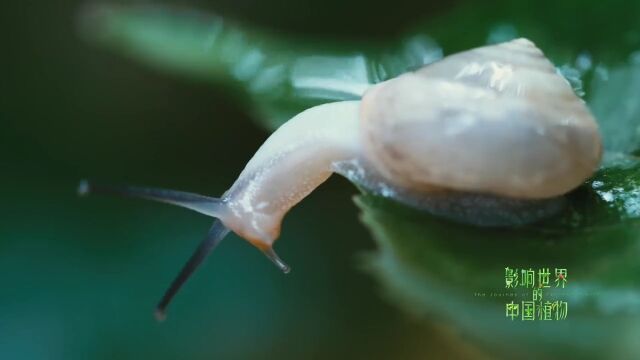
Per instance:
{"type": "Point", "coordinates": [497, 119]}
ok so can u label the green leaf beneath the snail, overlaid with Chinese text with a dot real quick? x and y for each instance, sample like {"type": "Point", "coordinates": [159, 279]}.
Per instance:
{"type": "Point", "coordinates": [435, 269]}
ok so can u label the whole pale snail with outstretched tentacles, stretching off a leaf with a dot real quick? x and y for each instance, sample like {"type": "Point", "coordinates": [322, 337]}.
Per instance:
{"type": "Point", "coordinates": [491, 136]}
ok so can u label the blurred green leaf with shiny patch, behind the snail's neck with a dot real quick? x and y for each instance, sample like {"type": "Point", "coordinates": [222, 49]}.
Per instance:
{"type": "Point", "coordinates": [275, 76]}
